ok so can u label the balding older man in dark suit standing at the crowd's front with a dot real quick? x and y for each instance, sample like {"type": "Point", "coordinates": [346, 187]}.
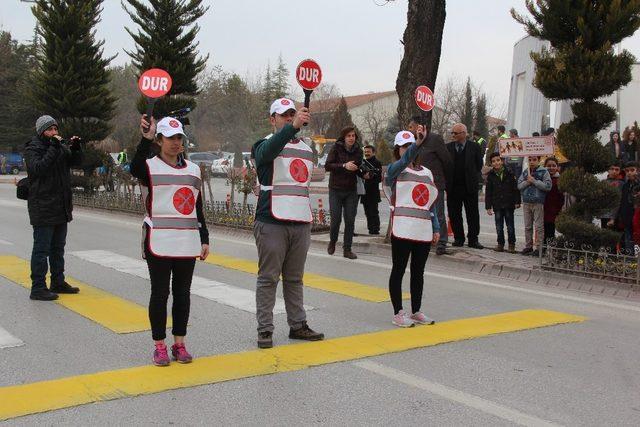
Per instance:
{"type": "Point", "coordinates": [462, 188]}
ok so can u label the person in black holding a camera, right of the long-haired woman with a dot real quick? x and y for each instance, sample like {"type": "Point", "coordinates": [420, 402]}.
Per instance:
{"type": "Point", "coordinates": [371, 170]}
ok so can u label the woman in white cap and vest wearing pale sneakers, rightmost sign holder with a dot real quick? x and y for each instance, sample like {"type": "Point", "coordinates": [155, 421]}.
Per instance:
{"type": "Point", "coordinates": [414, 225]}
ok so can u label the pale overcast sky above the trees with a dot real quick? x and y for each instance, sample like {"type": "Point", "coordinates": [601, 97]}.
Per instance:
{"type": "Point", "coordinates": [356, 42]}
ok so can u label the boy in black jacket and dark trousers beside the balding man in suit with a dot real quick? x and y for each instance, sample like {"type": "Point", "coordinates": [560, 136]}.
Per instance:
{"type": "Point", "coordinates": [501, 199]}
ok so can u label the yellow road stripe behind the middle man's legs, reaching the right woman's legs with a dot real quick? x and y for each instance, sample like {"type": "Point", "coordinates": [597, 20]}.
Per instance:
{"type": "Point", "coordinates": [316, 281]}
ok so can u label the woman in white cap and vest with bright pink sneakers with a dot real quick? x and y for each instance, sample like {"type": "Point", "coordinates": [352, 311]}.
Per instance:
{"type": "Point", "coordinates": [175, 233]}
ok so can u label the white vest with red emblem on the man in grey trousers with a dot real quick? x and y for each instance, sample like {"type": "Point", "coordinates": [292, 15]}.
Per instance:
{"type": "Point", "coordinates": [290, 183]}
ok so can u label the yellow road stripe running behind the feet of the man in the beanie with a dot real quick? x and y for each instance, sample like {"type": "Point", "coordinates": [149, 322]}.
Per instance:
{"type": "Point", "coordinates": [110, 311]}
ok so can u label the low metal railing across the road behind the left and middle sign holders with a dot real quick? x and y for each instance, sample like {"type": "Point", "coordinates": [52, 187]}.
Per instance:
{"type": "Point", "coordinates": [216, 213]}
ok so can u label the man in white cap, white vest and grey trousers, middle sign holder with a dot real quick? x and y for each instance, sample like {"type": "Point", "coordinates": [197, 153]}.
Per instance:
{"type": "Point", "coordinates": [282, 226]}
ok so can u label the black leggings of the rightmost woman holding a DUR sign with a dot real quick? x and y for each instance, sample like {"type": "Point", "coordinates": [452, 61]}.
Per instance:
{"type": "Point", "coordinates": [400, 251]}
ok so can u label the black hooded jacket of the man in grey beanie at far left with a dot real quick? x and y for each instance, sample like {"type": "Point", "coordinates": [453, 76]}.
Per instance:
{"type": "Point", "coordinates": [48, 168]}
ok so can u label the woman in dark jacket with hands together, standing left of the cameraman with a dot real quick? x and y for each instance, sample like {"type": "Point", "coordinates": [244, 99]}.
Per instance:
{"type": "Point", "coordinates": [343, 163]}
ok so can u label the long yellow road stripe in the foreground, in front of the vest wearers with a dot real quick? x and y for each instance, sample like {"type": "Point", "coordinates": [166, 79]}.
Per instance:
{"type": "Point", "coordinates": [102, 386]}
